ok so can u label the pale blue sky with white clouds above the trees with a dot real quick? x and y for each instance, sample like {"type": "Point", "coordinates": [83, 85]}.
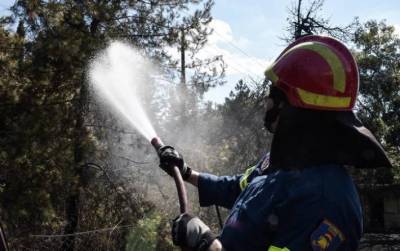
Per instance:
{"type": "Point", "coordinates": [247, 33]}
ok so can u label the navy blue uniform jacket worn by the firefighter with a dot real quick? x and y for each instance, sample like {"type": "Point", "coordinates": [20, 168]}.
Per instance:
{"type": "Point", "coordinates": [316, 208]}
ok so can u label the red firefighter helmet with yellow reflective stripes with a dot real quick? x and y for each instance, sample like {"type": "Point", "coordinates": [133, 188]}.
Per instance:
{"type": "Point", "coordinates": [316, 72]}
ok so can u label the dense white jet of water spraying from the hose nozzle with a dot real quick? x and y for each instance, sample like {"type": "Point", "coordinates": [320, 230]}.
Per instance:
{"type": "Point", "coordinates": [117, 74]}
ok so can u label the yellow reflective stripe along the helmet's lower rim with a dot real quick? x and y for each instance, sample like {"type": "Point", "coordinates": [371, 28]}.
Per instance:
{"type": "Point", "coordinates": [322, 100]}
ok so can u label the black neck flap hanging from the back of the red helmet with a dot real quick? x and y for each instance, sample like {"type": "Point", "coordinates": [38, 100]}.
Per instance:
{"type": "Point", "coordinates": [306, 138]}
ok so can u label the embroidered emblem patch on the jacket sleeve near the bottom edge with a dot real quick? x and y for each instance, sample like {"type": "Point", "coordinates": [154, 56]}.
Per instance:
{"type": "Point", "coordinates": [326, 237]}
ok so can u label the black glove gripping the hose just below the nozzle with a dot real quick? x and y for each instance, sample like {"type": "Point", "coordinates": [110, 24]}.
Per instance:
{"type": "Point", "coordinates": [169, 158]}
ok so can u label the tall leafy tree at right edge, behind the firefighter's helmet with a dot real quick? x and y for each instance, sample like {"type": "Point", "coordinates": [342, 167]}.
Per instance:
{"type": "Point", "coordinates": [378, 57]}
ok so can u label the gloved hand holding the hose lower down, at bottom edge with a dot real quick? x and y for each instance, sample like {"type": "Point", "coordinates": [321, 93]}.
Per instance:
{"type": "Point", "coordinates": [189, 231]}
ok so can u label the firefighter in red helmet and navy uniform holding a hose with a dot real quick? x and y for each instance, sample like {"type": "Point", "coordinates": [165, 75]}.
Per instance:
{"type": "Point", "coordinates": [300, 196]}
